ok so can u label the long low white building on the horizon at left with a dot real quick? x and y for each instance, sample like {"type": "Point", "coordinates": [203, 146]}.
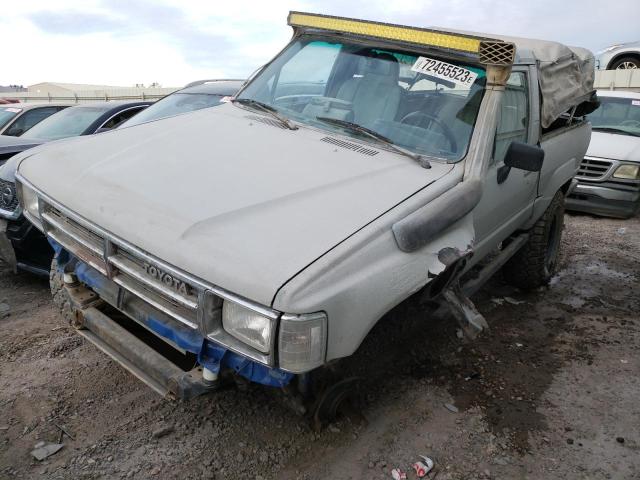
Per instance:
{"type": "Point", "coordinates": [77, 92]}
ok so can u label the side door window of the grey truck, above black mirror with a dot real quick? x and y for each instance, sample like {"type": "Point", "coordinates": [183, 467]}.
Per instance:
{"type": "Point", "coordinates": [513, 117]}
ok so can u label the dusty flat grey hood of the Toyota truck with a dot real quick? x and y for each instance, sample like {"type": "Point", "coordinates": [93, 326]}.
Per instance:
{"type": "Point", "coordinates": [226, 194]}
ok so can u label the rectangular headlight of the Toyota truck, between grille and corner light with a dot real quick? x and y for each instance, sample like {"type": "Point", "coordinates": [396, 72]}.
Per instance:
{"type": "Point", "coordinates": [248, 326]}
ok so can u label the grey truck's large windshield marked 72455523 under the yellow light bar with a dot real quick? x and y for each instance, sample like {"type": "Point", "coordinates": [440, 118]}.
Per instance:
{"type": "Point", "coordinates": [418, 102]}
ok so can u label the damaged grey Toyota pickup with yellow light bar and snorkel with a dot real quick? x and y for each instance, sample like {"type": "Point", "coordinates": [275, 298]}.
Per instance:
{"type": "Point", "coordinates": [265, 238]}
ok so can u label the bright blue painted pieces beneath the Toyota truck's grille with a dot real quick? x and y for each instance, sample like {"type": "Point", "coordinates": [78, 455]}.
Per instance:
{"type": "Point", "coordinates": [210, 354]}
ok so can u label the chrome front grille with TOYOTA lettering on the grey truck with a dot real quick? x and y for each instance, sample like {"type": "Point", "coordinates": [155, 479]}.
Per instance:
{"type": "Point", "coordinates": [160, 285]}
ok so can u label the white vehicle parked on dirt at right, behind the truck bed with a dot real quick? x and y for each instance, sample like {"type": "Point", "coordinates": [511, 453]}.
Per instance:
{"type": "Point", "coordinates": [609, 174]}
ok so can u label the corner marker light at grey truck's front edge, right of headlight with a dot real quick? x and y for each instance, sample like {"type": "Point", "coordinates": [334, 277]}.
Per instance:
{"type": "Point", "coordinates": [302, 345]}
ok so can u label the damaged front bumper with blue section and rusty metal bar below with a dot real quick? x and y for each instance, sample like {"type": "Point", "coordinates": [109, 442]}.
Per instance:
{"type": "Point", "coordinates": [167, 356]}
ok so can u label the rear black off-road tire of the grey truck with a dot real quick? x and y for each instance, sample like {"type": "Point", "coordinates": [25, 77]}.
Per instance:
{"type": "Point", "coordinates": [535, 263]}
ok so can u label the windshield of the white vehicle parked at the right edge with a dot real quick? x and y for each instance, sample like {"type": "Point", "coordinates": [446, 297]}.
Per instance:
{"type": "Point", "coordinates": [617, 115]}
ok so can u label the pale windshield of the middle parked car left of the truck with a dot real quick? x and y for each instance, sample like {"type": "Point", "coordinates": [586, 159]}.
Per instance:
{"type": "Point", "coordinates": [70, 122]}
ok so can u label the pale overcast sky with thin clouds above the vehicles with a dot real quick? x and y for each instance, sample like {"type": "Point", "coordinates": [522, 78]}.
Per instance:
{"type": "Point", "coordinates": [142, 41]}
